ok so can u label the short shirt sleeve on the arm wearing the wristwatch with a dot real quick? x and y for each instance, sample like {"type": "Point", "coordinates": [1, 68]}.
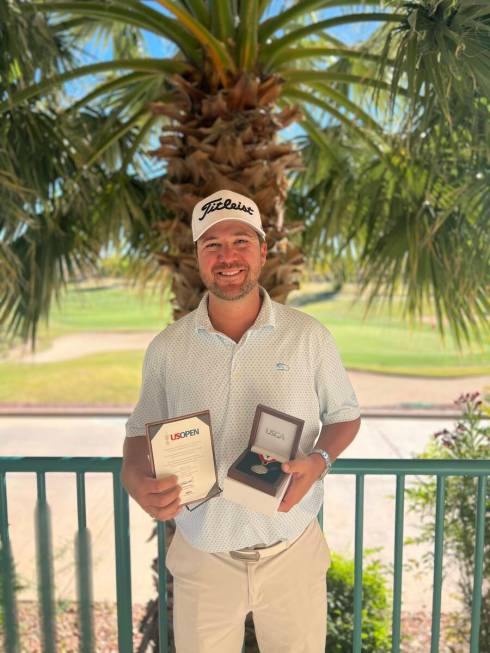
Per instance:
{"type": "Point", "coordinates": [336, 397]}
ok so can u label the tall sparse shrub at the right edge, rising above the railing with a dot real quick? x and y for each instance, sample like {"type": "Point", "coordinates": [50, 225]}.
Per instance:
{"type": "Point", "coordinates": [468, 439]}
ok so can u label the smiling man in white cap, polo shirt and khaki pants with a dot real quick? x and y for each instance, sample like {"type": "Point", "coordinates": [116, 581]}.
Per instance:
{"type": "Point", "coordinates": [236, 350]}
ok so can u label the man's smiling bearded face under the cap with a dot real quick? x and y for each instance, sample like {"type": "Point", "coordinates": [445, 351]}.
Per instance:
{"type": "Point", "coordinates": [230, 257]}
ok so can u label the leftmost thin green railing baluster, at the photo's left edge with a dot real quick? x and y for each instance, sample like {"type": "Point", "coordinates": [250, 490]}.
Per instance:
{"type": "Point", "coordinates": [8, 602]}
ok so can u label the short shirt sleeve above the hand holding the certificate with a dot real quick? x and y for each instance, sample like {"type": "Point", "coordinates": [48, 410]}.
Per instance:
{"type": "Point", "coordinates": [152, 403]}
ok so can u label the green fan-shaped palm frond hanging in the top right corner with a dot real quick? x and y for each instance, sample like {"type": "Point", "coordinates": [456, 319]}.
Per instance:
{"type": "Point", "coordinates": [441, 47]}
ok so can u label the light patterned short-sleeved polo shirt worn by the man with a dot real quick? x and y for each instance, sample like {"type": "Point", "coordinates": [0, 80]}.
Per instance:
{"type": "Point", "coordinates": [286, 360]}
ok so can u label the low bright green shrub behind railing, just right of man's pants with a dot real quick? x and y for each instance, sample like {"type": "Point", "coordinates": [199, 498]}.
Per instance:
{"type": "Point", "coordinates": [376, 634]}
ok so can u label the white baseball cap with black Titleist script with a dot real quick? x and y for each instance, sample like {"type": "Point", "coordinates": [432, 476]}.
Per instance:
{"type": "Point", "coordinates": [225, 205]}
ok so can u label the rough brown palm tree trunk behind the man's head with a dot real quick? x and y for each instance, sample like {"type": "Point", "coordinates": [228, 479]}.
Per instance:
{"type": "Point", "coordinates": [227, 139]}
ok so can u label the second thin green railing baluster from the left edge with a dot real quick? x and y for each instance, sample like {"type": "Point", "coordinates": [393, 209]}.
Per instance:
{"type": "Point", "coordinates": [45, 567]}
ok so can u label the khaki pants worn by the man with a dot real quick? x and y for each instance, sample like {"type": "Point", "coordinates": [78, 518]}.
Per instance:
{"type": "Point", "coordinates": [285, 591]}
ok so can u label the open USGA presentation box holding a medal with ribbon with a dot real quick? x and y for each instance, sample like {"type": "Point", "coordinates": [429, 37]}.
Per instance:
{"type": "Point", "coordinates": [255, 479]}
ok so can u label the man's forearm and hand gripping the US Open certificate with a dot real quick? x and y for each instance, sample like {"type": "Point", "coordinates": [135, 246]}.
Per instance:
{"type": "Point", "coordinates": [160, 498]}
